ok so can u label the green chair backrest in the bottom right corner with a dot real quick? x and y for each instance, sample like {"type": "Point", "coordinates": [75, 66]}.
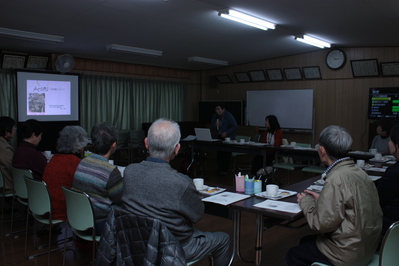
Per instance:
{"type": "Point", "coordinates": [389, 254]}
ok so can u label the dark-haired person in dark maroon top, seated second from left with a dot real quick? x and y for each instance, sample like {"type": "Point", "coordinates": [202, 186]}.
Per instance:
{"type": "Point", "coordinates": [26, 156]}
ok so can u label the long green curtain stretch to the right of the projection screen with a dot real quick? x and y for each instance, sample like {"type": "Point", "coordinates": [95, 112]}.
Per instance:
{"type": "Point", "coordinates": [128, 102]}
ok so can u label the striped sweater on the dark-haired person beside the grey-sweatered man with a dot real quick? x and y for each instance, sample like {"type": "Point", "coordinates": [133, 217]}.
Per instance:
{"type": "Point", "coordinates": [101, 181]}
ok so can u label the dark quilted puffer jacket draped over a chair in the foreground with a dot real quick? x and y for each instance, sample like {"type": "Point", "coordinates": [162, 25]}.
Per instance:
{"type": "Point", "coordinates": [128, 239]}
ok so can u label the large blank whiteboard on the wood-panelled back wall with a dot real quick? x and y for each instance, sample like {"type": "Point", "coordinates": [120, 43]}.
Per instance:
{"type": "Point", "coordinates": [293, 108]}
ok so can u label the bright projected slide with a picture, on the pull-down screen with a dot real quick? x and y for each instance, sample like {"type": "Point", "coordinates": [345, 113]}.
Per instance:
{"type": "Point", "coordinates": [46, 97]}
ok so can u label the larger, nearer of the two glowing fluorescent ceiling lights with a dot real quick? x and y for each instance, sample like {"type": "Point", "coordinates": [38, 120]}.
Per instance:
{"type": "Point", "coordinates": [247, 19]}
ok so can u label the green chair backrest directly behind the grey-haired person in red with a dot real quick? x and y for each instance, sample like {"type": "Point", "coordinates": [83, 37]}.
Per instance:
{"type": "Point", "coordinates": [38, 196]}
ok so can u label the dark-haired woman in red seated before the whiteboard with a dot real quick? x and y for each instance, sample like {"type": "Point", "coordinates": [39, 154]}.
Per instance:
{"type": "Point", "coordinates": [273, 136]}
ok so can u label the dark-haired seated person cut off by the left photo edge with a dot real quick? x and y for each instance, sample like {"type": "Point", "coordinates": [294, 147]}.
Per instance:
{"type": "Point", "coordinates": [7, 132]}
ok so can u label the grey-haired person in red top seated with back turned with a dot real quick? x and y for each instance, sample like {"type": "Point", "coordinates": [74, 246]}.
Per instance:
{"type": "Point", "coordinates": [61, 168]}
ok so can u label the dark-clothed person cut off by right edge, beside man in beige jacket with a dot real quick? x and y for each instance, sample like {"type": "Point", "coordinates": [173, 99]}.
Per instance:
{"type": "Point", "coordinates": [388, 185]}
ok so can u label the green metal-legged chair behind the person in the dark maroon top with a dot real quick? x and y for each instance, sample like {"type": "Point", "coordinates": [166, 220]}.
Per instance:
{"type": "Point", "coordinates": [20, 193]}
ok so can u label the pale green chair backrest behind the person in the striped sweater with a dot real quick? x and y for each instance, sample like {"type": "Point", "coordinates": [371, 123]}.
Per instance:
{"type": "Point", "coordinates": [80, 213]}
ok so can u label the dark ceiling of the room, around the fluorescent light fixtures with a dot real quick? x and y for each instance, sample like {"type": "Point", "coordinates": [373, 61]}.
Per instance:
{"type": "Point", "coordinates": [185, 28]}
